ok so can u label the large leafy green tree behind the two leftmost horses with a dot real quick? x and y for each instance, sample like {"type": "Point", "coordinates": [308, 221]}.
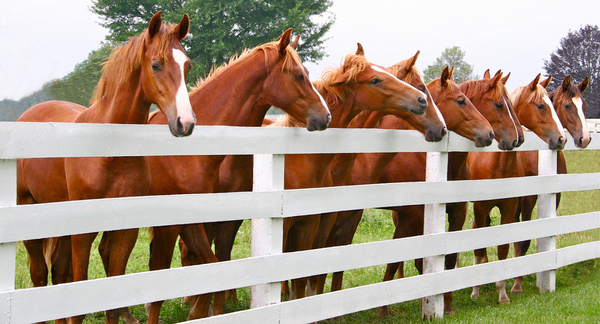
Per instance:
{"type": "Point", "coordinates": [220, 29]}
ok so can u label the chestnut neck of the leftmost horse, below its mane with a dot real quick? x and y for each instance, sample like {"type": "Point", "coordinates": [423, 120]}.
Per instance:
{"type": "Point", "coordinates": [127, 105]}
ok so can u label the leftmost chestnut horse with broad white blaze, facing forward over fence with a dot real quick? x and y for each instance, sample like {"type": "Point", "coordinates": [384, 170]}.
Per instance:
{"type": "Point", "coordinates": [150, 68]}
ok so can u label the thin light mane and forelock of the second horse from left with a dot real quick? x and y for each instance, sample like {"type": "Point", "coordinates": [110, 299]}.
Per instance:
{"type": "Point", "coordinates": [291, 58]}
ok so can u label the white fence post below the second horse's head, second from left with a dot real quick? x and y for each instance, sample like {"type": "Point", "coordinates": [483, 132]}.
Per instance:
{"type": "Point", "coordinates": [267, 233]}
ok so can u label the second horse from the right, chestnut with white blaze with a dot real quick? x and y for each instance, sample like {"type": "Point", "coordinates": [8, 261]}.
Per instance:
{"type": "Point", "coordinates": [536, 112]}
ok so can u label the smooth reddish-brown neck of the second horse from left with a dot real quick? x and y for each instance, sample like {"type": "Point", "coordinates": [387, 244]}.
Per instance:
{"type": "Point", "coordinates": [234, 97]}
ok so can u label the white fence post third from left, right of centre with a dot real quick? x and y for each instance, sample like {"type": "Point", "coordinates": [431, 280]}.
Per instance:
{"type": "Point", "coordinates": [434, 222]}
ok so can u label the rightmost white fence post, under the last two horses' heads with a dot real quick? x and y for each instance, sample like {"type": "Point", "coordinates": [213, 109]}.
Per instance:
{"type": "Point", "coordinates": [547, 165]}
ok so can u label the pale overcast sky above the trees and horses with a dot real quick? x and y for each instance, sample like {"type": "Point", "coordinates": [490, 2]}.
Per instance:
{"type": "Point", "coordinates": [43, 40]}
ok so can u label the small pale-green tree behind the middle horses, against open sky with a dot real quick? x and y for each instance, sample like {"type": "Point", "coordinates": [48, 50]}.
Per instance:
{"type": "Point", "coordinates": [452, 57]}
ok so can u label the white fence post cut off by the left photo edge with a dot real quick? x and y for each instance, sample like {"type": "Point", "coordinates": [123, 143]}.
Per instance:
{"type": "Point", "coordinates": [8, 197]}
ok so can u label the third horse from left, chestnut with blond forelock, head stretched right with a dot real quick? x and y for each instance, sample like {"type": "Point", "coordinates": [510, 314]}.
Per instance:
{"type": "Point", "coordinates": [355, 86]}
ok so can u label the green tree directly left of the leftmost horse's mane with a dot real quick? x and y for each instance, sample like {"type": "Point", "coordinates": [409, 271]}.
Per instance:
{"type": "Point", "coordinates": [78, 86]}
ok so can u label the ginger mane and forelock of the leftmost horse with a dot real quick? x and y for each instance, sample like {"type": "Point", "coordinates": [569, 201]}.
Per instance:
{"type": "Point", "coordinates": [126, 59]}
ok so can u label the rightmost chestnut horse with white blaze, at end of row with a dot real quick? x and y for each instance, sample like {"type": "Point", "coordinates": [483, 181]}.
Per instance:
{"type": "Point", "coordinates": [570, 108]}
